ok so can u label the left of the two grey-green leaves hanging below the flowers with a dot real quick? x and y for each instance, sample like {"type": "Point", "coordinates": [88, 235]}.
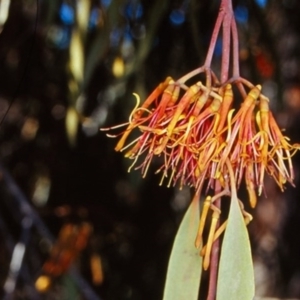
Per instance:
{"type": "Point", "coordinates": [185, 264]}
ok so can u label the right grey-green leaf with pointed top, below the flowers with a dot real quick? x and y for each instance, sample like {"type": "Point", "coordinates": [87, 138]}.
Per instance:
{"type": "Point", "coordinates": [236, 275]}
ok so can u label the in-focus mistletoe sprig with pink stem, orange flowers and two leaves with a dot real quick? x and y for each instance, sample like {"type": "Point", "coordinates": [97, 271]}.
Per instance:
{"type": "Point", "coordinates": [208, 145]}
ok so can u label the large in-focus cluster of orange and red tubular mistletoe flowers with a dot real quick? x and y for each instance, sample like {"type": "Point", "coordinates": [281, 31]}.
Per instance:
{"type": "Point", "coordinates": [195, 130]}
